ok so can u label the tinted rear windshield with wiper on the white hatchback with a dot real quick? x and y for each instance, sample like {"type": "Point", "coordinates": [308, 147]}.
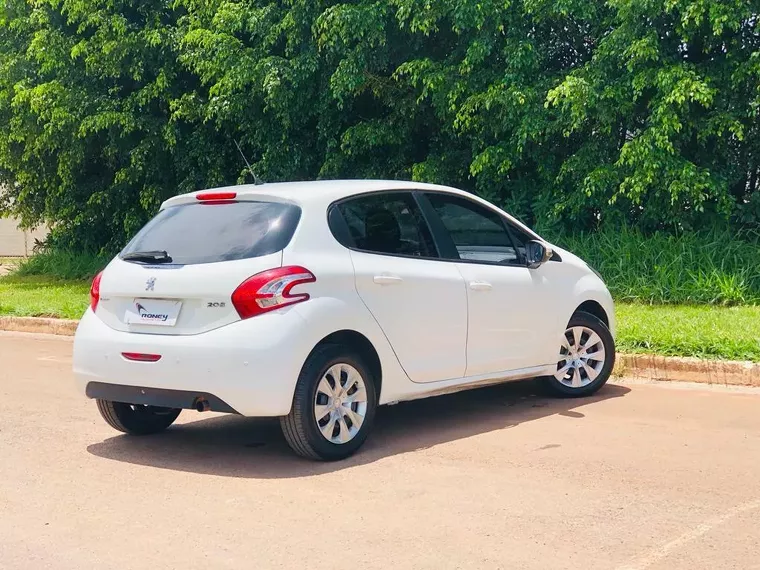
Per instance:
{"type": "Point", "coordinates": [207, 233]}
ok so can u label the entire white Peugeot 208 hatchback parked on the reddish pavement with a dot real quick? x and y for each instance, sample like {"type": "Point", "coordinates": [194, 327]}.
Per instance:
{"type": "Point", "coordinates": [316, 302]}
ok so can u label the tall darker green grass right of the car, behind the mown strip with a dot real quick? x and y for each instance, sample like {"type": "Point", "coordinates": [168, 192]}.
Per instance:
{"type": "Point", "coordinates": [712, 267]}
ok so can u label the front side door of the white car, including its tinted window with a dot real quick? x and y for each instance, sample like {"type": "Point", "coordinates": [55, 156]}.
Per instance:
{"type": "Point", "coordinates": [508, 320]}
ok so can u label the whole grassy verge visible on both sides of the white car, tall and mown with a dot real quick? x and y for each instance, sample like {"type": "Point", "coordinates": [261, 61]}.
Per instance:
{"type": "Point", "coordinates": [693, 280]}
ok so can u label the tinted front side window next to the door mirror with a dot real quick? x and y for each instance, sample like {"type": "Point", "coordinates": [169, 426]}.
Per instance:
{"type": "Point", "coordinates": [479, 234]}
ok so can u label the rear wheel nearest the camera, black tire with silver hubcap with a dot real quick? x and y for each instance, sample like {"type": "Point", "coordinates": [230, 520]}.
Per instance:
{"type": "Point", "coordinates": [304, 431]}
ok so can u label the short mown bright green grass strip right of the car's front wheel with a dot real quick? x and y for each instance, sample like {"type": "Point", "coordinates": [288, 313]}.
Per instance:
{"type": "Point", "coordinates": [731, 333]}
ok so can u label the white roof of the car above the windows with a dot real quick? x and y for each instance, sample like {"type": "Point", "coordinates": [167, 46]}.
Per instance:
{"type": "Point", "coordinates": [315, 190]}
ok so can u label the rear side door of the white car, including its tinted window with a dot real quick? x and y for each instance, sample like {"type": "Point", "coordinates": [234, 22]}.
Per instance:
{"type": "Point", "coordinates": [419, 302]}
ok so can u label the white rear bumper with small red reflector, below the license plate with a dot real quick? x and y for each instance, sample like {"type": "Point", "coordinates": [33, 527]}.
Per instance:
{"type": "Point", "coordinates": [249, 366]}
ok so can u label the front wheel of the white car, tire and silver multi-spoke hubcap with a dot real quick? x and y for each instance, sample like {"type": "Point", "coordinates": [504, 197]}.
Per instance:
{"type": "Point", "coordinates": [577, 375]}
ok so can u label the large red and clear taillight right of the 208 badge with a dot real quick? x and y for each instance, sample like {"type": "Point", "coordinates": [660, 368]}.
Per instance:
{"type": "Point", "coordinates": [270, 290]}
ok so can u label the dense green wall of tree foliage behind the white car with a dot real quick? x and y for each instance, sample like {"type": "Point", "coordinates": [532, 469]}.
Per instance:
{"type": "Point", "coordinates": [573, 113]}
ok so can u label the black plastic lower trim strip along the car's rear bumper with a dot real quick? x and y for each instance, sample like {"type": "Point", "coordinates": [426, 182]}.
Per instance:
{"type": "Point", "coordinates": [143, 395]}
